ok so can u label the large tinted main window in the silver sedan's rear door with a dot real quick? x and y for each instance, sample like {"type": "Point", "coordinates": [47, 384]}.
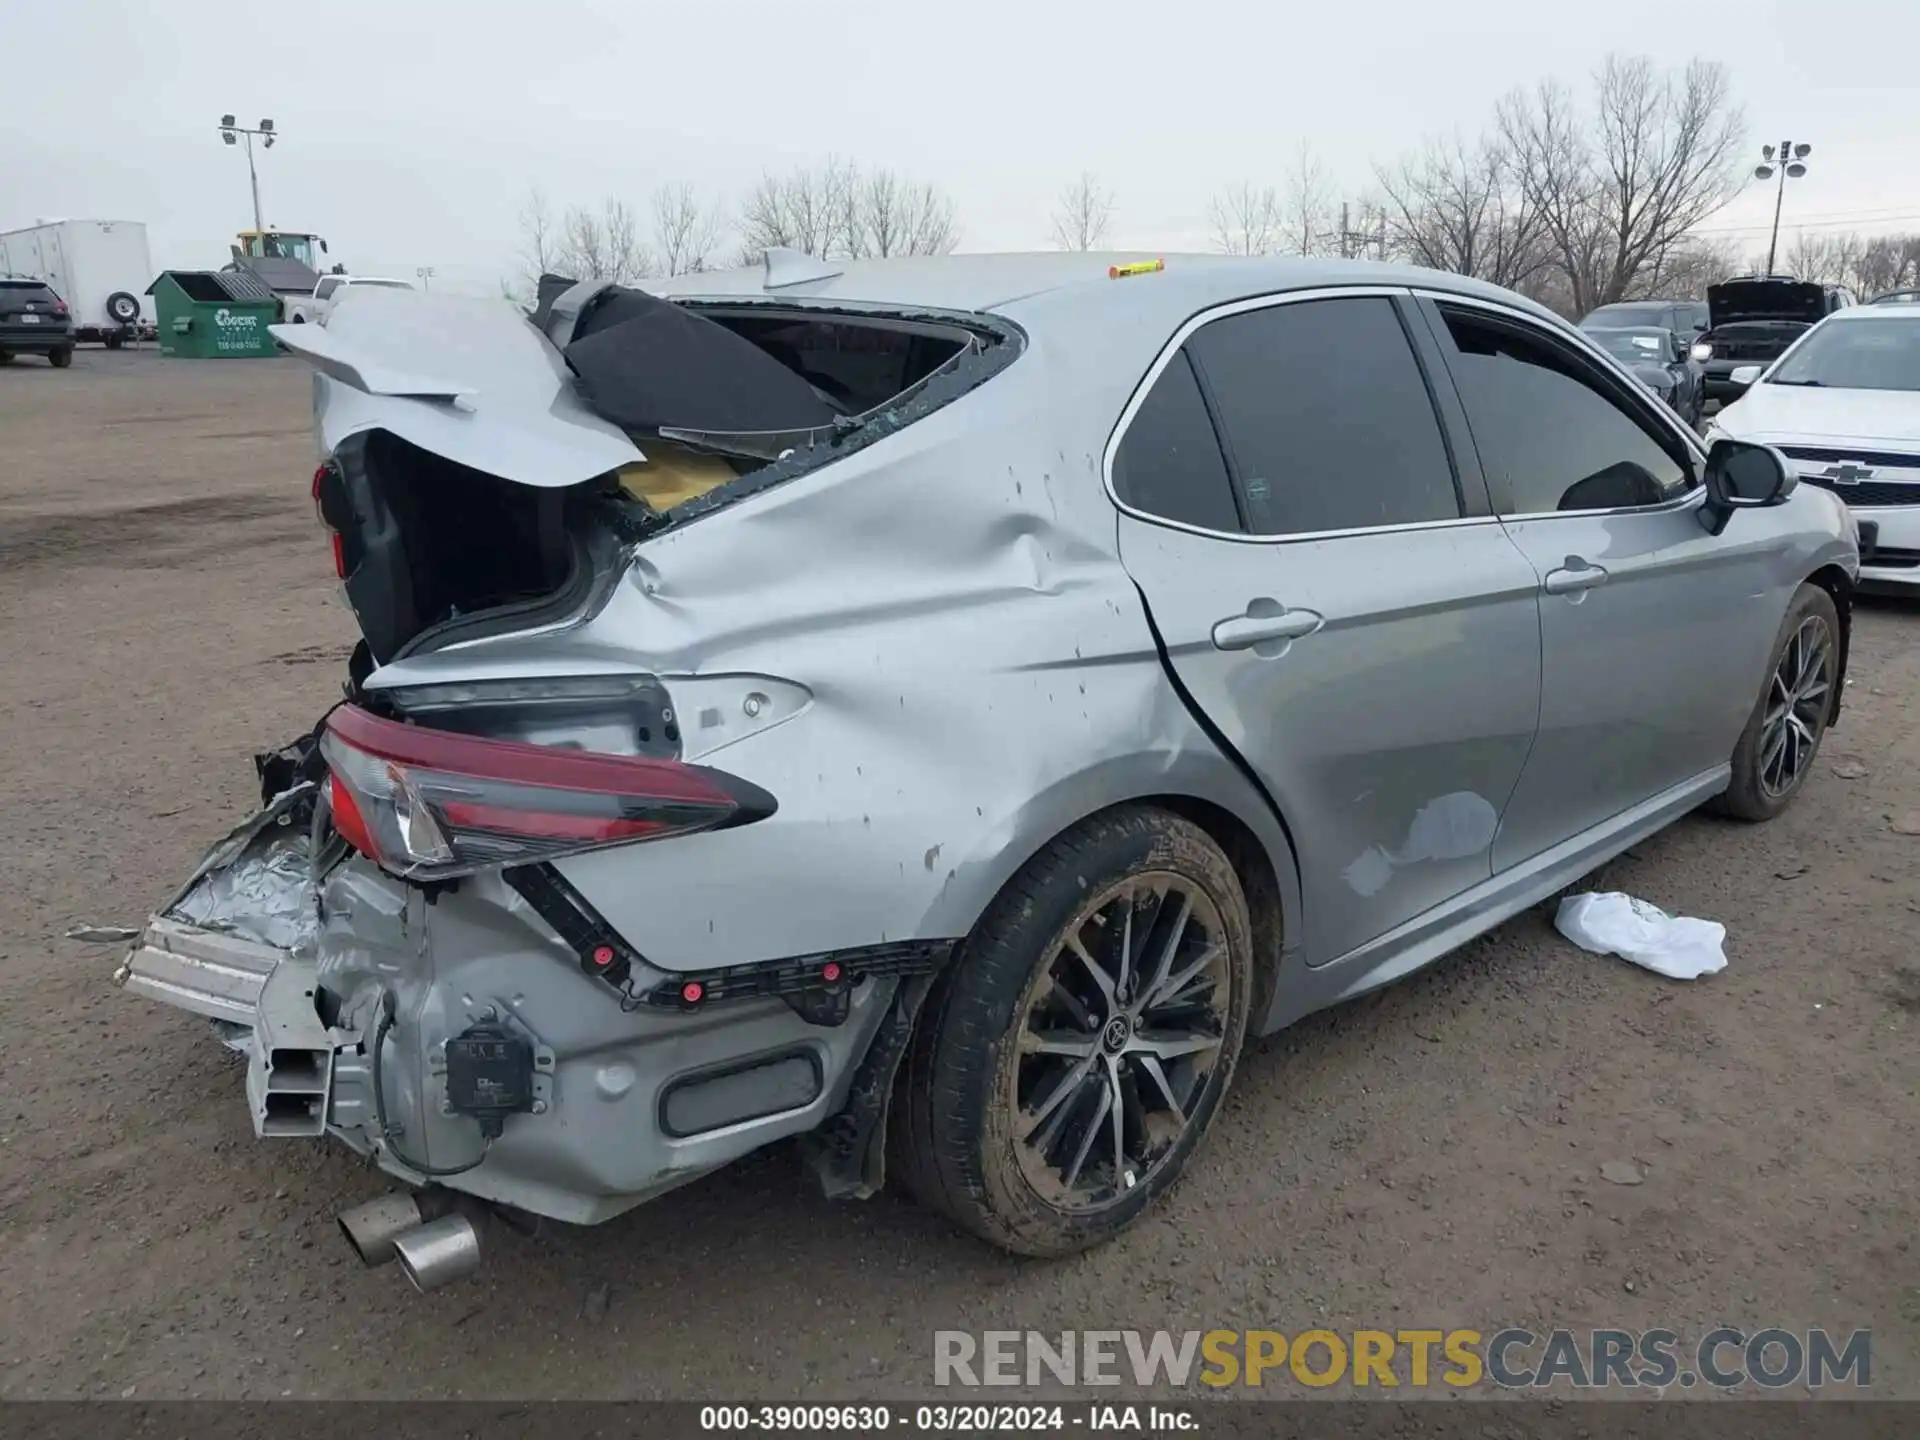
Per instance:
{"type": "Point", "coordinates": [1328, 418]}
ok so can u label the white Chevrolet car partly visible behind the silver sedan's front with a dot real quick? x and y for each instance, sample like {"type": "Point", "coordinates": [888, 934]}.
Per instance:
{"type": "Point", "coordinates": [1844, 406]}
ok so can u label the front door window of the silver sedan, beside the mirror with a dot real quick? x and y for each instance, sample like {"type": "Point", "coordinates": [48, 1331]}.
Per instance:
{"type": "Point", "coordinates": [1558, 443]}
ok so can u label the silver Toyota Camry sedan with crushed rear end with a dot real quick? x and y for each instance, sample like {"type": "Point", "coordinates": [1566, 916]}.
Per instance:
{"type": "Point", "coordinates": [940, 709]}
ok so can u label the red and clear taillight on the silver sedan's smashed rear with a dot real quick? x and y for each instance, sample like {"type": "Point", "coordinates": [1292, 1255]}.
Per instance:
{"type": "Point", "coordinates": [433, 804]}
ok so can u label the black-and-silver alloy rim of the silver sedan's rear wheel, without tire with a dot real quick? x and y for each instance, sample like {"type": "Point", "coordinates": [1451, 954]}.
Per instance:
{"type": "Point", "coordinates": [1118, 1040]}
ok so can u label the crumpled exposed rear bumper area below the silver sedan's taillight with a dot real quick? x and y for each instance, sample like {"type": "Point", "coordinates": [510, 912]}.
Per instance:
{"type": "Point", "coordinates": [627, 1097]}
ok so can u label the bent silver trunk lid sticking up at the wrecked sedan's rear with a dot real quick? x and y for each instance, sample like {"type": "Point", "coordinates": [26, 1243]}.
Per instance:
{"type": "Point", "coordinates": [466, 379]}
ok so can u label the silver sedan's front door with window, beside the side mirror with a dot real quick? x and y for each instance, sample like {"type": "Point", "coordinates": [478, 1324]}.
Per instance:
{"type": "Point", "coordinates": [1652, 650]}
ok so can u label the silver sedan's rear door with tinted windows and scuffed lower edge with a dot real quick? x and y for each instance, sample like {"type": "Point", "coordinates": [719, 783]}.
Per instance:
{"type": "Point", "coordinates": [1335, 594]}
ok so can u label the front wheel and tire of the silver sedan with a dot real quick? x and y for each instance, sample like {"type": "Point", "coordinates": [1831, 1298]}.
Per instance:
{"type": "Point", "coordinates": [1777, 750]}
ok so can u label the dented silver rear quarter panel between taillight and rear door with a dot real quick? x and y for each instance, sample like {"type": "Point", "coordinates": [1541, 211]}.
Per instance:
{"type": "Point", "coordinates": [980, 673]}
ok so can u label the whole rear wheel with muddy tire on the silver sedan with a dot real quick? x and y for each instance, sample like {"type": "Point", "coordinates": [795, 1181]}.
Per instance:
{"type": "Point", "coordinates": [1111, 978]}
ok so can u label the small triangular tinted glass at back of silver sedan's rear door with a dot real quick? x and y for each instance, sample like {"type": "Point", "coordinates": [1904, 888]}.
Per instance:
{"type": "Point", "coordinates": [1170, 462]}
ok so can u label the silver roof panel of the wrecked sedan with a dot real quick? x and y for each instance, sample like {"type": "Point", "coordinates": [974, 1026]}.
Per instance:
{"type": "Point", "coordinates": [1065, 281]}
